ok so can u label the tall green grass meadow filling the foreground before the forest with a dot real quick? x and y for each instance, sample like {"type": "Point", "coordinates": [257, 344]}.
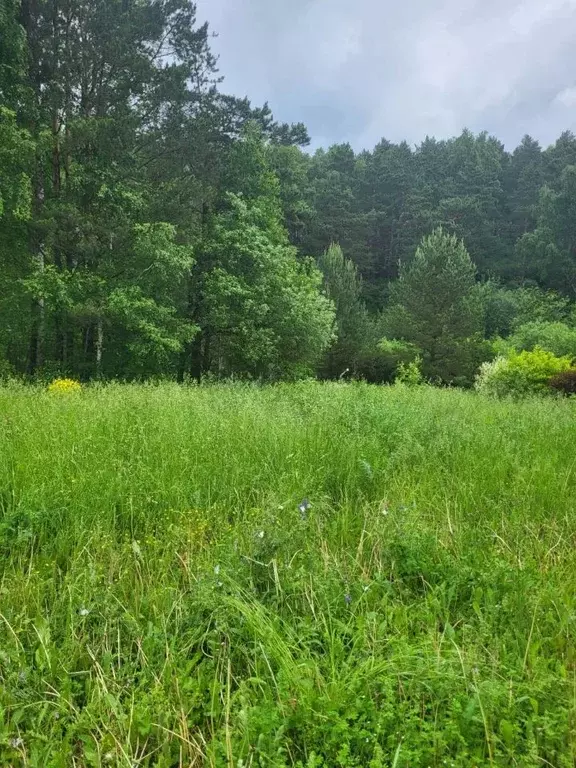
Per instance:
{"type": "Point", "coordinates": [165, 602]}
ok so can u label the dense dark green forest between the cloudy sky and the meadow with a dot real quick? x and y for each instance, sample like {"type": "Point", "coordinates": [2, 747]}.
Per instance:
{"type": "Point", "coordinates": [152, 225]}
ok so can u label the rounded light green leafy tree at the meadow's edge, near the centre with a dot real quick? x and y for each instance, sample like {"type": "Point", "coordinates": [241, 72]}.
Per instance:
{"type": "Point", "coordinates": [262, 307]}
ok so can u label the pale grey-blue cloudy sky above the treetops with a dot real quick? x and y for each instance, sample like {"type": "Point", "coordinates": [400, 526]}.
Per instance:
{"type": "Point", "coordinates": [360, 70]}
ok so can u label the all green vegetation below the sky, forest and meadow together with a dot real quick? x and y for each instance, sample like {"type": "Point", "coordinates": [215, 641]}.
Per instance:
{"type": "Point", "coordinates": [306, 575]}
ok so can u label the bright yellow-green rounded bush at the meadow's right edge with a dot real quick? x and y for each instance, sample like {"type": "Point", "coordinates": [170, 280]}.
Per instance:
{"type": "Point", "coordinates": [520, 374]}
